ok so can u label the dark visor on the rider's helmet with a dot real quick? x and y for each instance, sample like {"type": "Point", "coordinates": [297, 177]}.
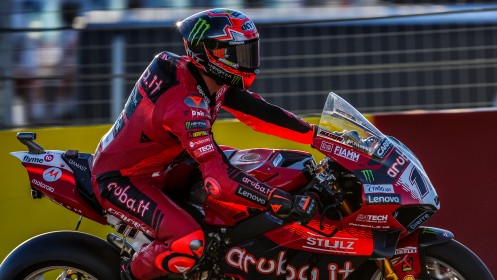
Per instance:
{"type": "Point", "coordinates": [239, 56]}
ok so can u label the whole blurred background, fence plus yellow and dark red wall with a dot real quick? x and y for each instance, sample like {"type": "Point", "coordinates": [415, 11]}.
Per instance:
{"type": "Point", "coordinates": [73, 63]}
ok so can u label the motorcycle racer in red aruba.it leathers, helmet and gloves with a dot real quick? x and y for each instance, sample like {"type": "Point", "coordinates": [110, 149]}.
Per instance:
{"type": "Point", "coordinates": [167, 118]}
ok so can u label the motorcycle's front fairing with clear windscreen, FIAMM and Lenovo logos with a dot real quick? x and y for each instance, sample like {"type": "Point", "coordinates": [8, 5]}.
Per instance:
{"type": "Point", "coordinates": [387, 169]}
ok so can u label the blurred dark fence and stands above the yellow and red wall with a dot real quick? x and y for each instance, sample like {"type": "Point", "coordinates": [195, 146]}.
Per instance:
{"type": "Point", "coordinates": [74, 62]}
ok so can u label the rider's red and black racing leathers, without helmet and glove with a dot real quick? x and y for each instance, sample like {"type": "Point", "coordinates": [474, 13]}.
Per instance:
{"type": "Point", "coordinates": [170, 111]}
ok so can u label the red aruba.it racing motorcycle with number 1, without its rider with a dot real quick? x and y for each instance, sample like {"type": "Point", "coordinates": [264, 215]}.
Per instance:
{"type": "Point", "coordinates": [374, 197]}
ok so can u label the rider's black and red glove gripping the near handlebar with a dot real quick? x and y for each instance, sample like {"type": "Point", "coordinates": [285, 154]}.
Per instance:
{"type": "Point", "coordinates": [300, 208]}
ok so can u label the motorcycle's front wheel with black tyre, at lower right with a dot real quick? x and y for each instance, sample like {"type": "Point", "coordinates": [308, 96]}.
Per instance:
{"type": "Point", "coordinates": [449, 260]}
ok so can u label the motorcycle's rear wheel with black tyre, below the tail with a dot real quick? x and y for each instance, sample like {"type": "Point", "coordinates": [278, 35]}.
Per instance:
{"type": "Point", "coordinates": [69, 252]}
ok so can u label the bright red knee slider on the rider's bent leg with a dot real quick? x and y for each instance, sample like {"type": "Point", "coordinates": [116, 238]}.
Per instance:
{"type": "Point", "coordinates": [184, 253]}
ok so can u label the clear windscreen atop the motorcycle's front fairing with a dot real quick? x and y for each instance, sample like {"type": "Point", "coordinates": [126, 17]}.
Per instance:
{"type": "Point", "coordinates": [341, 122]}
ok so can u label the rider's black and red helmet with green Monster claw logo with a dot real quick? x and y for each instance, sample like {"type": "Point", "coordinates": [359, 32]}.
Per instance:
{"type": "Point", "coordinates": [224, 44]}
